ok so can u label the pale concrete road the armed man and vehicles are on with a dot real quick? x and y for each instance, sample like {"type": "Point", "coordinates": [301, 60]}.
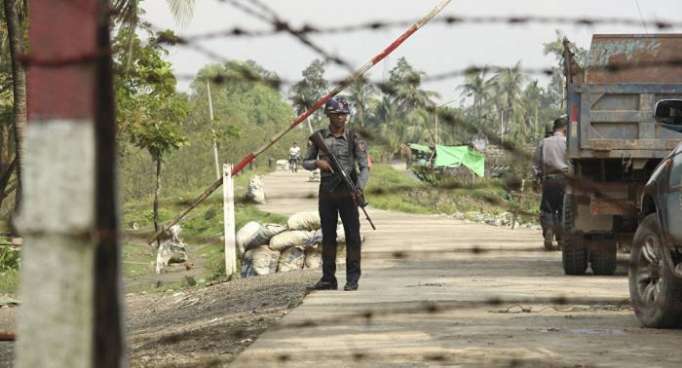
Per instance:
{"type": "Point", "coordinates": [445, 293]}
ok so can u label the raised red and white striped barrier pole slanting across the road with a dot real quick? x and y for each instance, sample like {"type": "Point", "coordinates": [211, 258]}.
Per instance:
{"type": "Point", "coordinates": [301, 118]}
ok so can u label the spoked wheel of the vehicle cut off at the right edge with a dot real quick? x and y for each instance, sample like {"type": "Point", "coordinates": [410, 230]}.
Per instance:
{"type": "Point", "coordinates": [655, 292]}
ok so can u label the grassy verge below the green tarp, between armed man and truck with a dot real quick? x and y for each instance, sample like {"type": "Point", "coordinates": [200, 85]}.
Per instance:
{"type": "Point", "coordinates": [396, 190]}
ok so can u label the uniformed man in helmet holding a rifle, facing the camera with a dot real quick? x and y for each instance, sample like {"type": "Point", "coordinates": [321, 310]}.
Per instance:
{"type": "Point", "coordinates": [335, 199]}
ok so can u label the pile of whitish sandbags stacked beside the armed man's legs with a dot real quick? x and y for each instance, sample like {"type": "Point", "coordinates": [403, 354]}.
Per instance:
{"type": "Point", "coordinates": [273, 248]}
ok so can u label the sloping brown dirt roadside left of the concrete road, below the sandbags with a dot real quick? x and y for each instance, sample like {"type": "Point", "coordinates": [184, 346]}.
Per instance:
{"type": "Point", "coordinates": [201, 327]}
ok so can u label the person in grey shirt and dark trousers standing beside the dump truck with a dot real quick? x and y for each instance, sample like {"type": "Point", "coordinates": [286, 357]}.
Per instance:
{"type": "Point", "coordinates": [550, 167]}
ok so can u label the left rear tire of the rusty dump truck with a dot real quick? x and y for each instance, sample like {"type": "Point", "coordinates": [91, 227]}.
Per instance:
{"type": "Point", "coordinates": [573, 250]}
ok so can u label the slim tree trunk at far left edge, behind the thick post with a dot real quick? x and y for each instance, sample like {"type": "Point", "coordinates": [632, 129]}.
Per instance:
{"type": "Point", "coordinates": [18, 88]}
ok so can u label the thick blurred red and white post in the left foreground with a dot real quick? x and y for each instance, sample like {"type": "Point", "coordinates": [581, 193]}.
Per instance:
{"type": "Point", "coordinates": [70, 314]}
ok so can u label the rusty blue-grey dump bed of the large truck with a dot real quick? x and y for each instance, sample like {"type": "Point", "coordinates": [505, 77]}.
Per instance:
{"type": "Point", "coordinates": [611, 102]}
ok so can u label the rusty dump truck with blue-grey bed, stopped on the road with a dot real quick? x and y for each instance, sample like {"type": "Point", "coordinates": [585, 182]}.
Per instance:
{"type": "Point", "coordinates": [614, 142]}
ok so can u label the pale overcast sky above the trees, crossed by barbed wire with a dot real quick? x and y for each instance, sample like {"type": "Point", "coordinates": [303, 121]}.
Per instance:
{"type": "Point", "coordinates": [434, 49]}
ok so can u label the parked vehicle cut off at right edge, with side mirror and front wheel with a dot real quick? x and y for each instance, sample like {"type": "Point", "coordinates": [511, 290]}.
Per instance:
{"type": "Point", "coordinates": [656, 257]}
